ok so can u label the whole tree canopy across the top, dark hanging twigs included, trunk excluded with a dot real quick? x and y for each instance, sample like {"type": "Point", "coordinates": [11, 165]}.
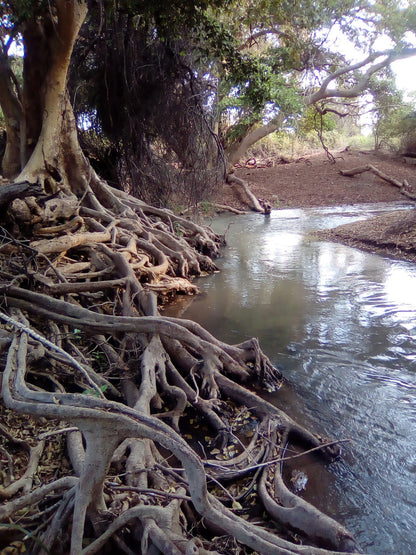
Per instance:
{"type": "Point", "coordinates": [236, 70]}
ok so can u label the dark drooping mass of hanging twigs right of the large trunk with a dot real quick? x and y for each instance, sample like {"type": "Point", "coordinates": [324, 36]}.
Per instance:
{"type": "Point", "coordinates": [148, 103]}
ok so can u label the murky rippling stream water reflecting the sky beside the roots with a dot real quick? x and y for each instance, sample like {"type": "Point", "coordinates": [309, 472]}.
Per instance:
{"type": "Point", "coordinates": [341, 323]}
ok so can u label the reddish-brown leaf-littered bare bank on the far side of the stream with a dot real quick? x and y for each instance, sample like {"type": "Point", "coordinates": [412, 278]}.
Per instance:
{"type": "Point", "coordinates": [314, 181]}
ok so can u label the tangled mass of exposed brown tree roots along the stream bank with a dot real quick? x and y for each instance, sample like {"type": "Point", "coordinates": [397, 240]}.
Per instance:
{"type": "Point", "coordinates": [164, 443]}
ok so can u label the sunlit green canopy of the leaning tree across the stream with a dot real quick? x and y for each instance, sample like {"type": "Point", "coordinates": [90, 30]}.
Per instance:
{"type": "Point", "coordinates": [301, 66]}
